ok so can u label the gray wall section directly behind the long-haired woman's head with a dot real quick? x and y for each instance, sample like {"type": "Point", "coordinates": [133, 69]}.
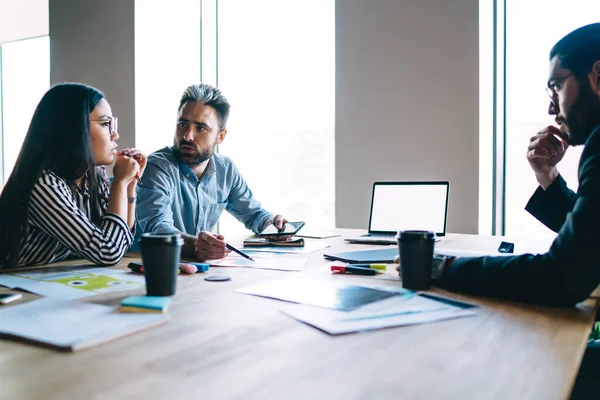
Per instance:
{"type": "Point", "coordinates": [92, 42]}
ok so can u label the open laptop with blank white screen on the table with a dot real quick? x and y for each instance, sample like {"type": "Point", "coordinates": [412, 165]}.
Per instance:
{"type": "Point", "coordinates": [399, 206]}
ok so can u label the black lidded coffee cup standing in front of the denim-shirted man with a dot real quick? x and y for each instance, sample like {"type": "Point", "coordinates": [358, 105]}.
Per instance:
{"type": "Point", "coordinates": [160, 257]}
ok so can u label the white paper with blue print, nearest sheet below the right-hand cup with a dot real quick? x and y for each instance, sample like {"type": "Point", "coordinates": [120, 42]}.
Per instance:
{"type": "Point", "coordinates": [398, 310]}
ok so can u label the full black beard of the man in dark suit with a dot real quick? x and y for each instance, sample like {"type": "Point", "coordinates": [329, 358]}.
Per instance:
{"type": "Point", "coordinates": [583, 116]}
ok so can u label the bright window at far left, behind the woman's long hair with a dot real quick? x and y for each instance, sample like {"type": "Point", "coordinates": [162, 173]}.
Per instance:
{"type": "Point", "coordinates": [25, 77]}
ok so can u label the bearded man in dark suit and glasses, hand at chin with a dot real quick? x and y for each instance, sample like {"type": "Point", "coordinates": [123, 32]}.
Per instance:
{"type": "Point", "coordinates": [570, 271]}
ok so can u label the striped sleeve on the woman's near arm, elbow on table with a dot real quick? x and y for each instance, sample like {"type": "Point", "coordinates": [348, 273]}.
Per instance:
{"type": "Point", "coordinates": [53, 210]}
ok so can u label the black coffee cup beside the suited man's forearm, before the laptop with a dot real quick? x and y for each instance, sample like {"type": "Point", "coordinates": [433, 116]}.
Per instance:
{"type": "Point", "coordinates": [416, 258]}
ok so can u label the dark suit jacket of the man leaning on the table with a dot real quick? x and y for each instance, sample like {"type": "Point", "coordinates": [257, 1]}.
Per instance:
{"type": "Point", "coordinates": [570, 271]}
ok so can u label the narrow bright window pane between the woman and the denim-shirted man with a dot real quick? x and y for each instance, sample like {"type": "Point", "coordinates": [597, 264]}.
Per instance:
{"type": "Point", "coordinates": [167, 60]}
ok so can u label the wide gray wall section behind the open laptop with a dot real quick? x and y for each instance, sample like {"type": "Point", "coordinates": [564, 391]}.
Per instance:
{"type": "Point", "coordinates": [406, 102]}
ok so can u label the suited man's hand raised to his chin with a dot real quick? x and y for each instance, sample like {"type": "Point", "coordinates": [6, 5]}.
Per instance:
{"type": "Point", "coordinates": [546, 149]}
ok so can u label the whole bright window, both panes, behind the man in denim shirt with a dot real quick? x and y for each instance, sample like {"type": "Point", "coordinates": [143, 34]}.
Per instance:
{"type": "Point", "coordinates": [274, 61]}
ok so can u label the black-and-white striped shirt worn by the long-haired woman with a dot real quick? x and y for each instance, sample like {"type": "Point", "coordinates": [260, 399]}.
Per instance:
{"type": "Point", "coordinates": [60, 225]}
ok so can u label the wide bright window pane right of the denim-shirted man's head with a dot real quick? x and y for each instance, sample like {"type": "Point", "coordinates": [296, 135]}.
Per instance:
{"type": "Point", "coordinates": [276, 67]}
